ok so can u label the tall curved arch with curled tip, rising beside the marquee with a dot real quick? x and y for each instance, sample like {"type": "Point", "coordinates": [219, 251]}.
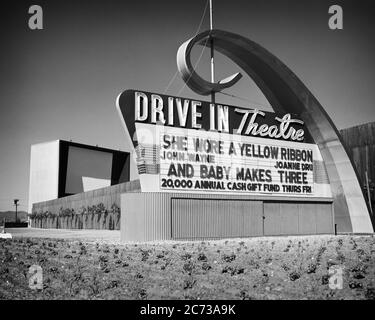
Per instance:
{"type": "Point", "coordinates": [287, 94]}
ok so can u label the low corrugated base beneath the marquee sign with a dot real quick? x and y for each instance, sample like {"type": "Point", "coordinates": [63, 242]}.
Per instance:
{"type": "Point", "coordinates": [148, 216]}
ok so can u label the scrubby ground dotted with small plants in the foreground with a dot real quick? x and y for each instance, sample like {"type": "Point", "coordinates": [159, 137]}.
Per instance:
{"type": "Point", "coordinates": [257, 268]}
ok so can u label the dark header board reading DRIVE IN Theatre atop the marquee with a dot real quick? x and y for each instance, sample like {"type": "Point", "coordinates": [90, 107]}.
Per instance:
{"type": "Point", "coordinates": [146, 107]}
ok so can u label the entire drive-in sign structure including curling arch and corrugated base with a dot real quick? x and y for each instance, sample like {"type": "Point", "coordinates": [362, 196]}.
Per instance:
{"type": "Point", "coordinates": [209, 170]}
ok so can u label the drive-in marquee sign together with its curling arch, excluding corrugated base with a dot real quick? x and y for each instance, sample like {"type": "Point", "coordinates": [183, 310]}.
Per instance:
{"type": "Point", "coordinates": [184, 145]}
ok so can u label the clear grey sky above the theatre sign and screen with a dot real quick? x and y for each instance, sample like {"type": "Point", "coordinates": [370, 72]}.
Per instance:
{"type": "Point", "coordinates": [62, 82]}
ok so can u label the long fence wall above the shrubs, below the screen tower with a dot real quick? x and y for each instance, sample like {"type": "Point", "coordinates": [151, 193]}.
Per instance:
{"type": "Point", "coordinates": [107, 196]}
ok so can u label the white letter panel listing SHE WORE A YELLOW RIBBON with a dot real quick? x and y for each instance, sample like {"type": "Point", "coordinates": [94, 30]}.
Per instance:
{"type": "Point", "coordinates": [180, 160]}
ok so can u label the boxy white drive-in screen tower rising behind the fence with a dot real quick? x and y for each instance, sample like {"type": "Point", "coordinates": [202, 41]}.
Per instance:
{"type": "Point", "coordinates": [59, 169]}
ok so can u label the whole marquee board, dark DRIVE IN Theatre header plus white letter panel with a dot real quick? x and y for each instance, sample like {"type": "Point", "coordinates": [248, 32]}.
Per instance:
{"type": "Point", "coordinates": [184, 145]}
